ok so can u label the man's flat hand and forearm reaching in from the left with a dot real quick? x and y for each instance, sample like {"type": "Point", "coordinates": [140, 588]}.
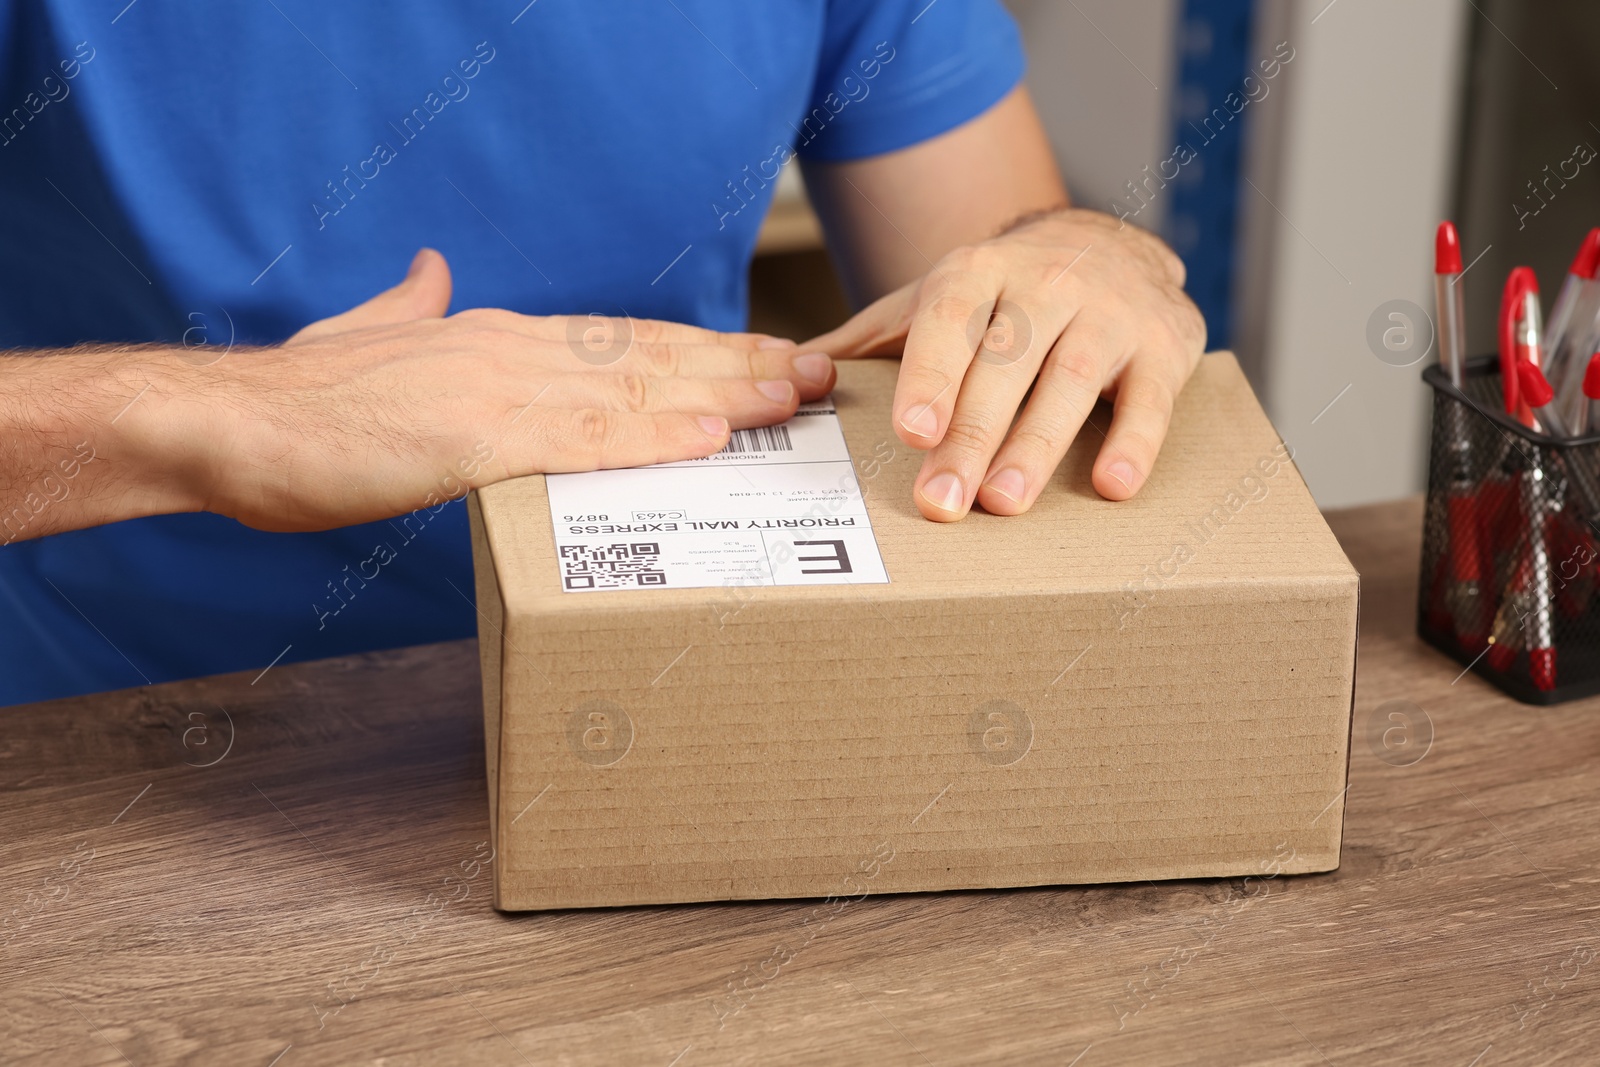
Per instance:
{"type": "Point", "coordinates": [367, 415]}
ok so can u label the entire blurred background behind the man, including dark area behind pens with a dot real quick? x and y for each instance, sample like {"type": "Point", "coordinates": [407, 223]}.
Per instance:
{"type": "Point", "coordinates": [1314, 207]}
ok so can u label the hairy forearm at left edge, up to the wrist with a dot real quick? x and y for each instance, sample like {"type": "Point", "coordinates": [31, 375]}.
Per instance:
{"type": "Point", "coordinates": [81, 441]}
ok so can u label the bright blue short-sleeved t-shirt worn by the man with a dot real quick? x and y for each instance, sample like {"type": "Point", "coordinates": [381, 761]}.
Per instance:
{"type": "Point", "coordinates": [231, 172]}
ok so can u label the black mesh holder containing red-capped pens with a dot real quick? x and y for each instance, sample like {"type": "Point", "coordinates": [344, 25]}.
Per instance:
{"type": "Point", "coordinates": [1511, 545]}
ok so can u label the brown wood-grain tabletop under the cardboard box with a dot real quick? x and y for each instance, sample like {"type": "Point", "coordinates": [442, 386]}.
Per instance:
{"type": "Point", "coordinates": [292, 869]}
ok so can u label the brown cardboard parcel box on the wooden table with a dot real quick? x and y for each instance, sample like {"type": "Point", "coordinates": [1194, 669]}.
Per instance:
{"type": "Point", "coordinates": [1094, 692]}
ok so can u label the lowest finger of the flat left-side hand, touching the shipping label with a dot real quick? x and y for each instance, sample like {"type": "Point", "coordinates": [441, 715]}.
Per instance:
{"type": "Point", "coordinates": [556, 441]}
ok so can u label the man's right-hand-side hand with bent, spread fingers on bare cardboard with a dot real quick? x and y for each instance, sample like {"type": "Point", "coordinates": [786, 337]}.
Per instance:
{"type": "Point", "coordinates": [1057, 313]}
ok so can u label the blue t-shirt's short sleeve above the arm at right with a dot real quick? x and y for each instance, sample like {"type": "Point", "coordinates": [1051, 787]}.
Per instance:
{"type": "Point", "coordinates": [897, 73]}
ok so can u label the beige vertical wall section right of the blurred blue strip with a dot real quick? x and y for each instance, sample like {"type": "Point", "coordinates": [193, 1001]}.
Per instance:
{"type": "Point", "coordinates": [1358, 180]}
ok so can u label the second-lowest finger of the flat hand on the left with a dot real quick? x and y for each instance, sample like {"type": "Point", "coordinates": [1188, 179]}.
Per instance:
{"type": "Point", "coordinates": [743, 402]}
